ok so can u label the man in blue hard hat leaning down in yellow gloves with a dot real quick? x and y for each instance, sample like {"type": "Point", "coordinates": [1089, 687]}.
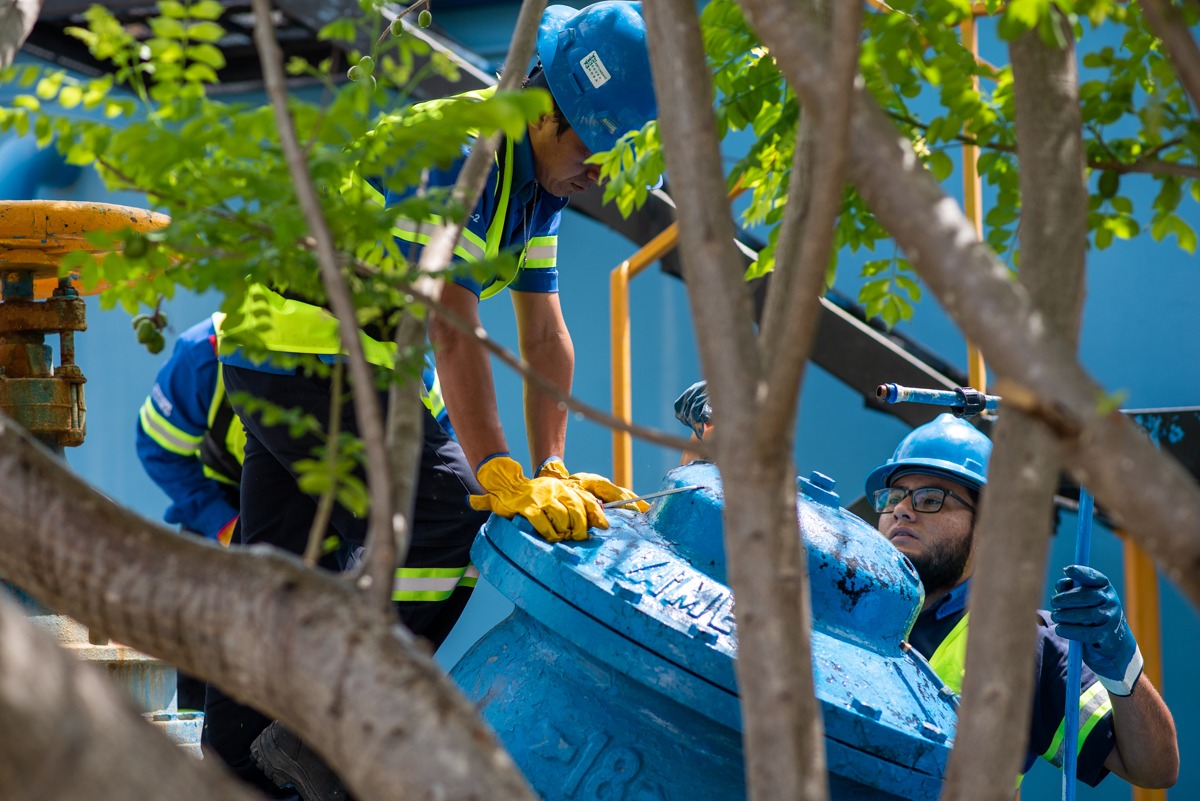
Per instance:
{"type": "Point", "coordinates": [596, 67]}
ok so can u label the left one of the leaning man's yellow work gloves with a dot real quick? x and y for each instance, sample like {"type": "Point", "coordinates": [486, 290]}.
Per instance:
{"type": "Point", "coordinates": [556, 510]}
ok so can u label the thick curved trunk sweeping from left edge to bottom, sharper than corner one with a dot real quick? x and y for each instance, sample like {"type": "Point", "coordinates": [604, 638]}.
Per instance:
{"type": "Point", "coordinates": [292, 641]}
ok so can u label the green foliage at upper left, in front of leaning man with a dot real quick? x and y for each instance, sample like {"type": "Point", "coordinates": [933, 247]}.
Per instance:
{"type": "Point", "coordinates": [218, 170]}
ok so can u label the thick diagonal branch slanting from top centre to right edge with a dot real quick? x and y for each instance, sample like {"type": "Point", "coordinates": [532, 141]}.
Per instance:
{"type": "Point", "coordinates": [1157, 501]}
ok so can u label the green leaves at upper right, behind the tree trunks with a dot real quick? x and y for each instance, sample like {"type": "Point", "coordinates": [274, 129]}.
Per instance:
{"type": "Point", "coordinates": [913, 61]}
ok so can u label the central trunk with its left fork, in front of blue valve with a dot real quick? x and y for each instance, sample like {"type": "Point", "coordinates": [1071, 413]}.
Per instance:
{"type": "Point", "coordinates": [782, 727]}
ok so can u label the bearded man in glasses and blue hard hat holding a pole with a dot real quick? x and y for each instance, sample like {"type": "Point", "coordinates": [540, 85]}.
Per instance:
{"type": "Point", "coordinates": [928, 498]}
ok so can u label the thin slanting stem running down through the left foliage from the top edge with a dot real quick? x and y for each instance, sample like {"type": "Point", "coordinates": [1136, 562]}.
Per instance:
{"type": "Point", "coordinates": [380, 567]}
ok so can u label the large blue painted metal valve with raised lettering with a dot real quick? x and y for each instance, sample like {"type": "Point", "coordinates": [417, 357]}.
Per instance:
{"type": "Point", "coordinates": [615, 676]}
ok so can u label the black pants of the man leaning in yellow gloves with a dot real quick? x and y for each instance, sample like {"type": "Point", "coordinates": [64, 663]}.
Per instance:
{"type": "Point", "coordinates": [277, 511]}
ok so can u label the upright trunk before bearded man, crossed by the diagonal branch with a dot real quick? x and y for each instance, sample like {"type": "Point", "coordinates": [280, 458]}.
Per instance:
{"type": "Point", "coordinates": [1017, 517]}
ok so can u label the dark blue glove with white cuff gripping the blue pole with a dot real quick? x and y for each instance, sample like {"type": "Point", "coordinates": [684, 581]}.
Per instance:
{"type": "Point", "coordinates": [1087, 609]}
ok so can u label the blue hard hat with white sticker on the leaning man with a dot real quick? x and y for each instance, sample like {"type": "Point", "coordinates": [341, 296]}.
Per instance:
{"type": "Point", "coordinates": [598, 70]}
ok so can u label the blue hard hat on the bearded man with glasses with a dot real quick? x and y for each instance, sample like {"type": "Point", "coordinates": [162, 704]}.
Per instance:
{"type": "Point", "coordinates": [947, 447]}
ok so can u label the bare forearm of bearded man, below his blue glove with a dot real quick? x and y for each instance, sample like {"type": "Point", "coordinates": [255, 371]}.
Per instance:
{"type": "Point", "coordinates": [1147, 751]}
